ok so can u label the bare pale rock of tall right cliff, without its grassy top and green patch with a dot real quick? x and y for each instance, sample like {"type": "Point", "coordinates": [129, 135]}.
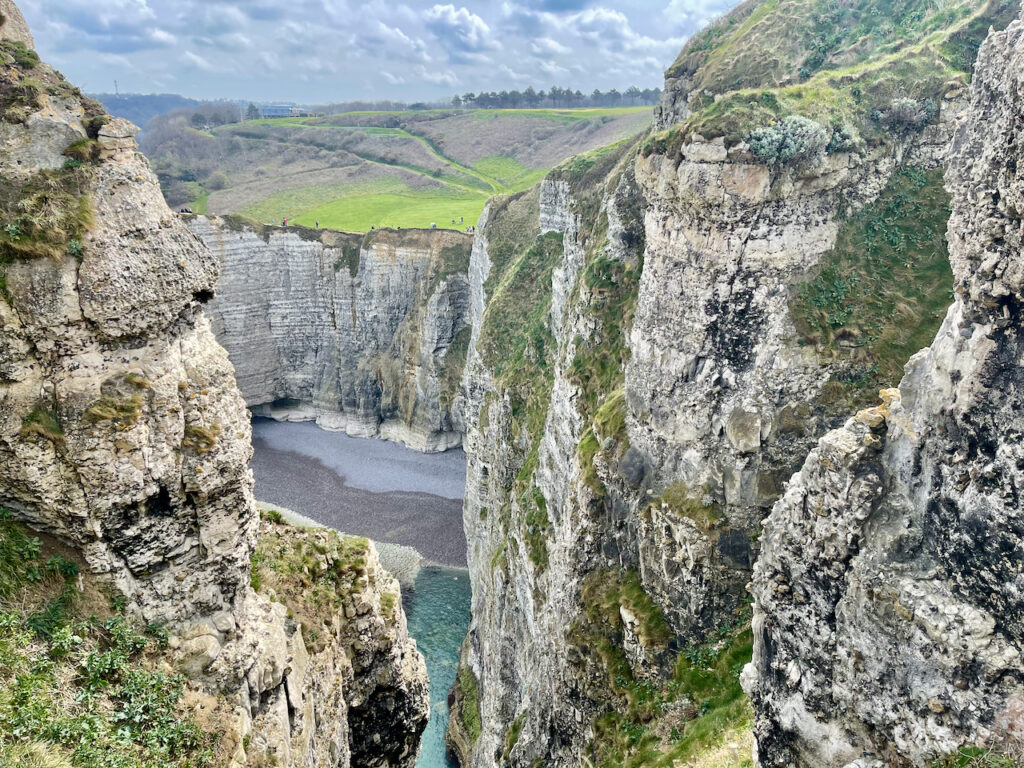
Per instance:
{"type": "Point", "coordinates": [669, 468]}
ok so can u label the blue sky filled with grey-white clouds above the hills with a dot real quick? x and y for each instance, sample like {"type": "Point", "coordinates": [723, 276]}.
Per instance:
{"type": "Point", "coordinates": [331, 51]}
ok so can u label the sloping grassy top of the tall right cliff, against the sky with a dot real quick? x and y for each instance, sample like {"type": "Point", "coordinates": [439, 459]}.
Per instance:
{"type": "Point", "coordinates": [837, 63]}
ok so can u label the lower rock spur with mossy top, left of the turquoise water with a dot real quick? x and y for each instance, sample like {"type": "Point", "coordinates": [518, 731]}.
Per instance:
{"type": "Point", "coordinates": [339, 687]}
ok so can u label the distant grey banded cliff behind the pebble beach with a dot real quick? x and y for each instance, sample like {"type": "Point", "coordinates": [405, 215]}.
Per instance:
{"type": "Point", "coordinates": [362, 334]}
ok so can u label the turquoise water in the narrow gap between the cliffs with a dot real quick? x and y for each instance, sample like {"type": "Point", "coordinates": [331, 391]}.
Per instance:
{"type": "Point", "coordinates": [438, 611]}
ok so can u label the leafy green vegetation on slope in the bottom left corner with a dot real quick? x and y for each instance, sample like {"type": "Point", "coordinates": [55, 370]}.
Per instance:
{"type": "Point", "coordinates": [80, 686]}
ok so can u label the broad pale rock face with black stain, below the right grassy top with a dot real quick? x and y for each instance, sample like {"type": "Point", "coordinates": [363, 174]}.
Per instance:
{"type": "Point", "coordinates": [718, 385]}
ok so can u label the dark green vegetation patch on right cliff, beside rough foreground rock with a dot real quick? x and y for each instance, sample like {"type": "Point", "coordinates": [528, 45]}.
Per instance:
{"type": "Point", "coordinates": [882, 293]}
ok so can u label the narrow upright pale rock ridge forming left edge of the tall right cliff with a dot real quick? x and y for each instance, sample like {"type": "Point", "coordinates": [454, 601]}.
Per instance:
{"type": "Point", "coordinates": [519, 657]}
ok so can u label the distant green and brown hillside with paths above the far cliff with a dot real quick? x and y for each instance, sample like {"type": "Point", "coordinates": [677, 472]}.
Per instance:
{"type": "Point", "coordinates": [358, 170]}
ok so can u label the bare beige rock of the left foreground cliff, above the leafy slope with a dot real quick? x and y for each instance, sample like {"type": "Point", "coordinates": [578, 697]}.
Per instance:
{"type": "Point", "coordinates": [124, 437]}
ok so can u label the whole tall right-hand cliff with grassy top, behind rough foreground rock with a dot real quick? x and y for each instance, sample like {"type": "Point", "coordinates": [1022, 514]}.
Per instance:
{"type": "Point", "coordinates": [682, 351]}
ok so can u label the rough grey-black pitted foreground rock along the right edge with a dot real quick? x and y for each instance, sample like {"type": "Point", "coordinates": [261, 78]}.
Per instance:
{"type": "Point", "coordinates": [888, 623]}
